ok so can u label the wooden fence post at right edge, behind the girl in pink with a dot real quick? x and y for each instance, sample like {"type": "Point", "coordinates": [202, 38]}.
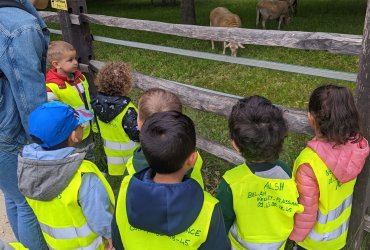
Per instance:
{"type": "Point", "coordinates": [361, 197]}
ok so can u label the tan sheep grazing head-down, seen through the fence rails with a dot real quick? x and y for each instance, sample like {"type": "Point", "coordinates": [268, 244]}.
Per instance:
{"type": "Point", "coordinates": [222, 17]}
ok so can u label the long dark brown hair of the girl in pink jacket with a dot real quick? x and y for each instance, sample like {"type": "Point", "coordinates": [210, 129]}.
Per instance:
{"type": "Point", "coordinates": [335, 113]}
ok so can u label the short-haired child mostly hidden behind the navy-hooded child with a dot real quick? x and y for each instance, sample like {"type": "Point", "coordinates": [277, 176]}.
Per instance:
{"type": "Point", "coordinates": [152, 101]}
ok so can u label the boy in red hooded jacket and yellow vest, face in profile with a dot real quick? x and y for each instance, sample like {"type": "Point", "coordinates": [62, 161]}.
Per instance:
{"type": "Point", "coordinates": [67, 84]}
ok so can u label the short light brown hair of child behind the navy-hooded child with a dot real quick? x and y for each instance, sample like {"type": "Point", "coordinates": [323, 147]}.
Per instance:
{"type": "Point", "coordinates": [157, 100]}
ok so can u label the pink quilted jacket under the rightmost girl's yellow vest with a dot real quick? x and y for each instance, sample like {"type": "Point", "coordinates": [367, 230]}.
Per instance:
{"type": "Point", "coordinates": [345, 161]}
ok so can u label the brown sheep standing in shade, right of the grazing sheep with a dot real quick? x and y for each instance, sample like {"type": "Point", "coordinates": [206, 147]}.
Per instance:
{"type": "Point", "coordinates": [272, 9]}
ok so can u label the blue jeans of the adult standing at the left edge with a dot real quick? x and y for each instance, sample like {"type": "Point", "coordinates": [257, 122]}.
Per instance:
{"type": "Point", "coordinates": [21, 217]}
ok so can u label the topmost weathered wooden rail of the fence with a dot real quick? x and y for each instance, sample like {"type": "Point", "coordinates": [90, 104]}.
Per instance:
{"type": "Point", "coordinates": [336, 43]}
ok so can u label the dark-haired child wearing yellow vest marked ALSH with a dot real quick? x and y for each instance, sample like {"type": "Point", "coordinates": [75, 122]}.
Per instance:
{"type": "Point", "coordinates": [259, 197]}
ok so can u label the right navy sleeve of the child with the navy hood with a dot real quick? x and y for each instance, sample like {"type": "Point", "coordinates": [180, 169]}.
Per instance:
{"type": "Point", "coordinates": [217, 238]}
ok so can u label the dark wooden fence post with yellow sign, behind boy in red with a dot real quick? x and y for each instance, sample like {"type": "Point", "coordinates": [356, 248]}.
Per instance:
{"type": "Point", "coordinates": [77, 33]}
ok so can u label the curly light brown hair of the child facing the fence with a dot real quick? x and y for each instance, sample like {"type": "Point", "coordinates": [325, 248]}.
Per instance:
{"type": "Point", "coordinates": [115, 79]}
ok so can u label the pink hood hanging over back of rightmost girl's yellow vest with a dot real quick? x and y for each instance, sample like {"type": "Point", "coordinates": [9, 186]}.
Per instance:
{"type": "Point", "coordinates": [345, 161]}
